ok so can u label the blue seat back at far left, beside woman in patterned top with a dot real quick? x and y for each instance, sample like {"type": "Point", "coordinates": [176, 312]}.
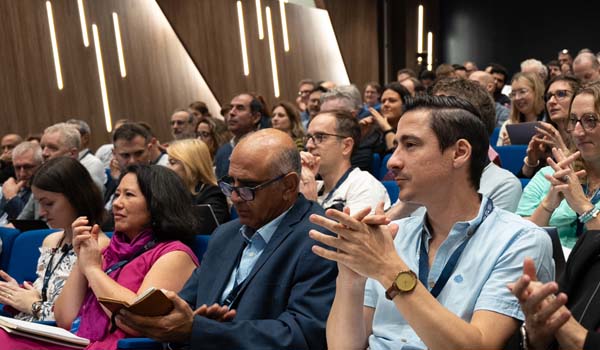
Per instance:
{"type": "Point", "coordinates": [23, 266]}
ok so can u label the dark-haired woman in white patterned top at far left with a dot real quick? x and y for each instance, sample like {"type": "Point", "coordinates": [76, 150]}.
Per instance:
{"type": "Point", "coordinates": [65, 191]}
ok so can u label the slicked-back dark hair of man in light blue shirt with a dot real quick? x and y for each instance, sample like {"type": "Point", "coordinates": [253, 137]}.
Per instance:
{"type": "Point", "coordinates": [452, 119]}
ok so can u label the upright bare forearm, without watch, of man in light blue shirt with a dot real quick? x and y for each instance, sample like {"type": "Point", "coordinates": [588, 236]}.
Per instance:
{"type": "Point", "coordinates": [345, 325]}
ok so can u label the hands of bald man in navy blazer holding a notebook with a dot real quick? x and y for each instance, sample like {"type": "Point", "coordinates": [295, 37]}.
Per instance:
{"type": "Point", "coordinates": [175, 326]}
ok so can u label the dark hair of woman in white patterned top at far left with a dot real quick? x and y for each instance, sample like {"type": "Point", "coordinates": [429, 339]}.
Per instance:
{"type": "Point", "coordinates": [68, 177]}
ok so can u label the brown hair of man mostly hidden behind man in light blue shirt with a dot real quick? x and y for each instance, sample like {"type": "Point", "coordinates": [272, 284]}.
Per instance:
{"type": "Point", "coordinates": [472, 92]}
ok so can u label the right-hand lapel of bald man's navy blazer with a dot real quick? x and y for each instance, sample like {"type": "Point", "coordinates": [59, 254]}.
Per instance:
{"type": "Point", "coordinates": [286, 227]}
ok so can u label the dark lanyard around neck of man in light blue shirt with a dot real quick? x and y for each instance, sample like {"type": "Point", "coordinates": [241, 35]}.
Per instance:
{"type": "Point", "coordinates": [451, 264]}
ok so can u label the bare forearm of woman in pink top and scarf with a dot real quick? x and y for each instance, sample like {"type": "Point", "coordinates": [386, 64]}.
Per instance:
{"type": "Point", "coordinates": [70, 299]}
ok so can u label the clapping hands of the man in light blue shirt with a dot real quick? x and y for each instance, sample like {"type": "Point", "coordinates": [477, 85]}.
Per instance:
{"type": "Point", "coordinates": [364, 243]}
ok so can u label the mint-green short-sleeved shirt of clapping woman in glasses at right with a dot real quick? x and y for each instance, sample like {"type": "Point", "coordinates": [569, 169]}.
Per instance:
{"type": "Point", "coordinates": [563, 217]}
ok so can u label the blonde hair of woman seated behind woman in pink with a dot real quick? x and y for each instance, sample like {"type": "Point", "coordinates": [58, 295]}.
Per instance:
{"type": "Point", "coordinates": [196, 160]}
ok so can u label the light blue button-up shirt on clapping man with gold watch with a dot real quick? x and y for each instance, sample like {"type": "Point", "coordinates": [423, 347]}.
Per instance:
{"type": "Point", "coordinates": [492, 259]}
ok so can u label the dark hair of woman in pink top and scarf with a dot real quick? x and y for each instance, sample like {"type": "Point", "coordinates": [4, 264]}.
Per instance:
{"type": "Point", "coordinates": [168, 201]}
